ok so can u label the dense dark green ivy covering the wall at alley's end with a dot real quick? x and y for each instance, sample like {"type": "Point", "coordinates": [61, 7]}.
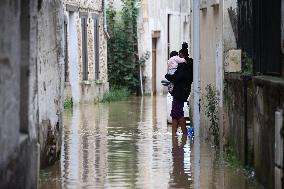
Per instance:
{"type": "Point", "coordinates": [123, 64]}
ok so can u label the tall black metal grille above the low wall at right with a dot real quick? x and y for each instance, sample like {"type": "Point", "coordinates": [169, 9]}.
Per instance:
{"type": "Point", "coordinates": [259, 34]}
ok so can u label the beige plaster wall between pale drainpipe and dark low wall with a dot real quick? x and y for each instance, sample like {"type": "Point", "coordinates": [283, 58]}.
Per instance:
{"type": "Point", "coordinates": [211, 54]}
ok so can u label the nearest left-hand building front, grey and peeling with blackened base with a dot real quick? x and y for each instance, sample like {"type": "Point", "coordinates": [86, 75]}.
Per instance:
{"type": "Point", "coordinates": [31, 74]}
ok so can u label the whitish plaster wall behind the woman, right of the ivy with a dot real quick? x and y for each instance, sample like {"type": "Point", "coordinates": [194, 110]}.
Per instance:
{"type": "Point", "coordinates": [154, 17]}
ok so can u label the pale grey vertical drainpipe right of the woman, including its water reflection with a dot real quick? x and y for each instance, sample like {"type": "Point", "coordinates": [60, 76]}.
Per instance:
{"type": "Point", "coordinates": [196, 113]}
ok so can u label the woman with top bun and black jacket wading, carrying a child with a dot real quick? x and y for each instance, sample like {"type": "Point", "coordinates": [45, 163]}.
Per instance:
{"type": "Point", "coordinates": [181, 79]}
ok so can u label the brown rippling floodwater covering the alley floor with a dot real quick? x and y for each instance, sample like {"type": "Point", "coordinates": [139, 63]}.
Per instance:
{"type": "Point", "coordinates": [129, 144]}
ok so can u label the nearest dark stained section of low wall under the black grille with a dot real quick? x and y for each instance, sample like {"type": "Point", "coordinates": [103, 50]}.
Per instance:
{"type": "Point", "coordinates": [269, 97]}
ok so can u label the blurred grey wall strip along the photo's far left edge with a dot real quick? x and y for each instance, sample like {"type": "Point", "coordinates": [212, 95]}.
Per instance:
{"type": "Point", "coordinates": [9, 76]}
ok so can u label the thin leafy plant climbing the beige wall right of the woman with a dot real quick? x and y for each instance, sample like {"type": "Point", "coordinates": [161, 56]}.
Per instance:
{"type": "Point", "coordinates": [211, 112]}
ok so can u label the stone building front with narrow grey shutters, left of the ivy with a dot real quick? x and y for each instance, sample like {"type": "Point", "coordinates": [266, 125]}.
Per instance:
{"type": "Point", "coordinates": [85, 37]}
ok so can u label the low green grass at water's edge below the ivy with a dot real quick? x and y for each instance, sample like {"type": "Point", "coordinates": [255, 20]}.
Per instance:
{"type": "Point", "coordinates": [116, 94]}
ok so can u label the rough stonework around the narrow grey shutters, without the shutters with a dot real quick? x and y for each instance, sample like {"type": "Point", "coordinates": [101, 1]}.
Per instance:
{"type": "Point", "coordinates": [93, 88]}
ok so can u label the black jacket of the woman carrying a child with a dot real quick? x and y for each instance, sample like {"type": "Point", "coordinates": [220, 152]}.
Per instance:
{"type": "Point", "coordinates": [182, 79]}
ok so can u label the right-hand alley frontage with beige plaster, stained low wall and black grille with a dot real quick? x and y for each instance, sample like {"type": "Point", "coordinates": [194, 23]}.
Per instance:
{"type": "Point", "coordinates": [241, 54]}
